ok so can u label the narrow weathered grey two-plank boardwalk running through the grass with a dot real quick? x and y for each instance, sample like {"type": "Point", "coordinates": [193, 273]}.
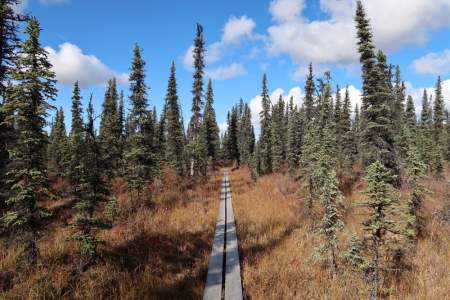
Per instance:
{"type": "Point", "coordinates": [224, 272]}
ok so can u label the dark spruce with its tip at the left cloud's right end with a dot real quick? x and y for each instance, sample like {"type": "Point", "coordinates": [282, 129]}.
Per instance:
{"type": "Point", "coordinates": [110, 130]}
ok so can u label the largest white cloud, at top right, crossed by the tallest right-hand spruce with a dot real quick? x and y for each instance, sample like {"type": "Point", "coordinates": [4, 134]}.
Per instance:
{"type": "Point", "coordinates": [333, 39]}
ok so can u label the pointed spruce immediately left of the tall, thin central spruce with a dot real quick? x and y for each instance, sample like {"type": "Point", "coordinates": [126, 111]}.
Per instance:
{"type": "Point", "coordinates": [175, 135]}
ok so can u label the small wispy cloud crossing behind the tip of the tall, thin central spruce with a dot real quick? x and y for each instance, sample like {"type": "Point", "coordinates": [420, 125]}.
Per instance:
{"type": "Point", "coordinates": [234, 31]}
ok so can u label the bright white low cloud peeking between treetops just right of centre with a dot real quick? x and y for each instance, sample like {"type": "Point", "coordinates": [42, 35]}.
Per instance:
{"type": "Point", "coordinates": [256, 105]}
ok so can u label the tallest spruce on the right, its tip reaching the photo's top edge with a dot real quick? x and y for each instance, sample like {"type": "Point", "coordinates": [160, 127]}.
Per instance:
{"type": "Point", "coordinates": [377, 136]}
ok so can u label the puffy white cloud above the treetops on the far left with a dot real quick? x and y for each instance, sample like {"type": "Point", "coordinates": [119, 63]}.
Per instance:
{"type": "Point", "coordinates": [71, 64]}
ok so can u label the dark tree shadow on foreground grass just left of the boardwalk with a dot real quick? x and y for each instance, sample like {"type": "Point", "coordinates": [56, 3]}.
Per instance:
{"type": "Point", "coordinates": [176, 261]}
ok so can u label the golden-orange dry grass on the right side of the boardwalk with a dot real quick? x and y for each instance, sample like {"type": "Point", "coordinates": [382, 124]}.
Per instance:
{"type": "Point", "coordinates": [277, 239]}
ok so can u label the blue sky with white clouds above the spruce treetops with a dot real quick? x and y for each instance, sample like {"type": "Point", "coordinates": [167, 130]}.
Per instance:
{"type": "Point", "coordinates": [92, 40]}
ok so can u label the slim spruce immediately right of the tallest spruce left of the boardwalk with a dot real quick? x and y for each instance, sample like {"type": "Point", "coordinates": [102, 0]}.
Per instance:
{"type": "Point", "coordinates": [210, 125]}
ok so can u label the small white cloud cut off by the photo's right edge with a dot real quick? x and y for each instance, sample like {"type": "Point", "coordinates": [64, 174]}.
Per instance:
{"type": "Point", "coordinates": [433, 63]}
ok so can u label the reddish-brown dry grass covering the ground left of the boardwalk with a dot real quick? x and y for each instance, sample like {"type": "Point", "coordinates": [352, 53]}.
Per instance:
{"type": "Point", "coordinates": [157, 251]}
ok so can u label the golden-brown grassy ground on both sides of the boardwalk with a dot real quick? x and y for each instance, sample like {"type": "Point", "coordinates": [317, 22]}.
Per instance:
{"type": "Point", "coordinates": [160, 250]}
